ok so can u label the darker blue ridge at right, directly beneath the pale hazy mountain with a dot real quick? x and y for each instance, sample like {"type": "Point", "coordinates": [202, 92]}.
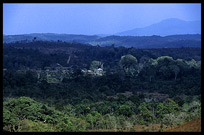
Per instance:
{"type": "Point", "coordinates": [188, 40]}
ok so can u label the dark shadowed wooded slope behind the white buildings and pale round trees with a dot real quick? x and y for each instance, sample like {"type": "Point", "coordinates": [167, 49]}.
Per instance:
{"type": "Point", "coordinates": [41, 54]}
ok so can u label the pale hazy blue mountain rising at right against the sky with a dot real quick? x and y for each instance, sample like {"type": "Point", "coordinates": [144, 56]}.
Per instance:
{"type": "Point", "coordinates": [166, 27]}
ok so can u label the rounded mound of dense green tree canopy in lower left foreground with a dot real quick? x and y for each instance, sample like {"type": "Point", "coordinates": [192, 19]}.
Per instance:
{"type": "Point", "coordinates": [27, 108]}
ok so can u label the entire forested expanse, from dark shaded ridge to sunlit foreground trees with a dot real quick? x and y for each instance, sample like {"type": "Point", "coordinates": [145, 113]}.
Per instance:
{"type": "Point", "coordinates": [59, 86]}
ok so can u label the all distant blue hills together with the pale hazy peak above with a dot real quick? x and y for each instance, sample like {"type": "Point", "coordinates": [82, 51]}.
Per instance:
{"type": "Point", "coordinates": [167, 33]}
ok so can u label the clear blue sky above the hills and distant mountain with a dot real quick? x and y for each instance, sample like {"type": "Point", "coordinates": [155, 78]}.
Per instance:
{"type": "Point", "coordinates": [90, 18]}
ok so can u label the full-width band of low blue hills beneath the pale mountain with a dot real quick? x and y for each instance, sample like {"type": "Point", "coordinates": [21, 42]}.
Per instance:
{"type": "Point", "coordinates": [175, 41]}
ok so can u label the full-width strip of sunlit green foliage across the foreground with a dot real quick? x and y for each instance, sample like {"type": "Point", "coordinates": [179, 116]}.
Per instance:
{"type": "Point", "coordinates": [67, 121]}
